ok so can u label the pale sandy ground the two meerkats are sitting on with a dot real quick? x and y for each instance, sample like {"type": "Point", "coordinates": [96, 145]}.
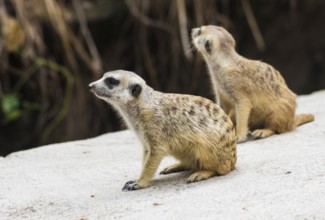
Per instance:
{"type": "Point", "coordinates": [281, 177]}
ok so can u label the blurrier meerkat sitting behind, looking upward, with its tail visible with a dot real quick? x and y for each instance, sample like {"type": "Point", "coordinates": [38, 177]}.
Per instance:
{"type": "Point", "coordinates": [252, 93]}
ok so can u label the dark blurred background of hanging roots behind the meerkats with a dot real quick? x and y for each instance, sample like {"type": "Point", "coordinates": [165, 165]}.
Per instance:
{"type": "Point", "coordinates": [50, 50]}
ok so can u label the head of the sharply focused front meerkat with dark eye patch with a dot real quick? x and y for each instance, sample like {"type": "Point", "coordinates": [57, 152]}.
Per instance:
{"type": "Point", "coordinates": [118, 87]}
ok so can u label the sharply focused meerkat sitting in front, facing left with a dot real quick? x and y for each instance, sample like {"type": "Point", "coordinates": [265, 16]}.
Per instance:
{"type": "Point", "coordinates": [194, 130]}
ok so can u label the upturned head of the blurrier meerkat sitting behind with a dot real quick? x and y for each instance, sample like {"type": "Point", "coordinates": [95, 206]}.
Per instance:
{"type": "Point", "coordinates": [212, 40]}
